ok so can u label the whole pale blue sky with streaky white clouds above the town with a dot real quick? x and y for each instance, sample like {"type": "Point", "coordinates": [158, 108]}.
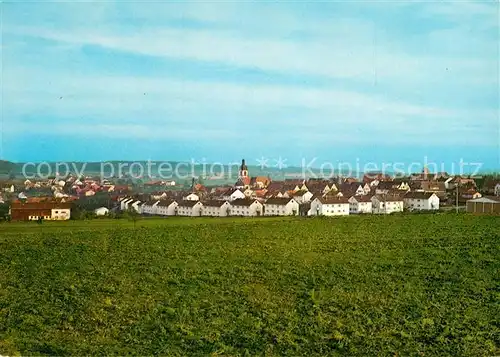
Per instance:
{"type": "Point", "coordinates": [223, 80]}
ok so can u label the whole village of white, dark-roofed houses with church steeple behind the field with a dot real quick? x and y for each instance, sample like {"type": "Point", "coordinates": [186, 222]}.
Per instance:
{"type": "Point", "coordinates": [374, 193]}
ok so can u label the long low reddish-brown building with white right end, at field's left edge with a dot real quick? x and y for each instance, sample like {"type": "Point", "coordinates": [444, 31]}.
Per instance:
{"type": "Point", "coordinates": [47, 210]}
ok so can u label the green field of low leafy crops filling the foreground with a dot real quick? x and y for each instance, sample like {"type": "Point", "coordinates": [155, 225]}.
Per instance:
{"type": "Point", "coordinates": [409, 285]}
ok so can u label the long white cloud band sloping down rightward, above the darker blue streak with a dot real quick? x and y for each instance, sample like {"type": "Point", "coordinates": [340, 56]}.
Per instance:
{"type": "Point", "coordinates": [337, 56]}
